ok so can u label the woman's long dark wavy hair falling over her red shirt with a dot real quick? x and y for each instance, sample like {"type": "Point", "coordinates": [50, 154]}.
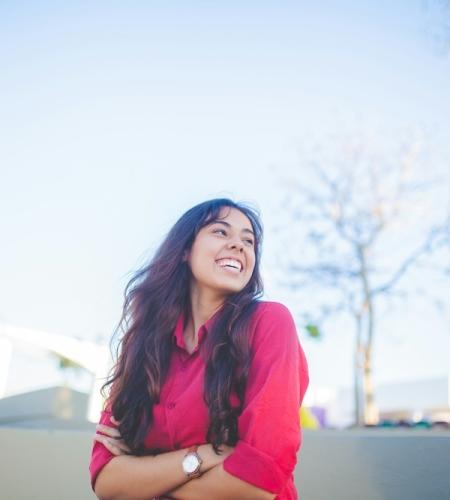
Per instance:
{"type": "Point", "coordinates": [154, 298]}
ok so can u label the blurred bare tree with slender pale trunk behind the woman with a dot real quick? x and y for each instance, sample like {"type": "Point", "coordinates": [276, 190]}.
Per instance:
{"type": "Point", "coordinates": [362, 225]}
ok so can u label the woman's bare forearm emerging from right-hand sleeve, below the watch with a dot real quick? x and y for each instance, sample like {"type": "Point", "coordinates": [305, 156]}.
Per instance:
{"type": "Point", "coordinates": [220, 485]}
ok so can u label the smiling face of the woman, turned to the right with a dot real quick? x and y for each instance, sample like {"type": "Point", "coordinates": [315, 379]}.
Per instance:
{"type": "Point", "coordinates": [222, 257]}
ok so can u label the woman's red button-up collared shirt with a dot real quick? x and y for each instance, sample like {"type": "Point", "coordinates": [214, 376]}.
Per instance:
{"type": "Point", "coordinates": [269, 425]}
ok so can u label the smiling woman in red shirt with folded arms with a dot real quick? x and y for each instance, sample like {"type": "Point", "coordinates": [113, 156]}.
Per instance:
{"type": "Point", "coordinates": [205, 394]}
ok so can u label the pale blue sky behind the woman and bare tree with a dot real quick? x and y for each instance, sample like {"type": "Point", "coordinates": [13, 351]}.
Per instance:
{"type": "Point", "coordinates": [117, 117]}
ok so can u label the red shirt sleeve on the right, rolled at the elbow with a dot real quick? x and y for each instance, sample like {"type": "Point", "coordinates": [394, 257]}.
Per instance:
{"type": "Point", "coordinates": [269, 425]}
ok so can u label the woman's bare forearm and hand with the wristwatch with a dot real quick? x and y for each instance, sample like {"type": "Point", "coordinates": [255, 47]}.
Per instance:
{"type": "Point", "coordinates": [128, 477]}
